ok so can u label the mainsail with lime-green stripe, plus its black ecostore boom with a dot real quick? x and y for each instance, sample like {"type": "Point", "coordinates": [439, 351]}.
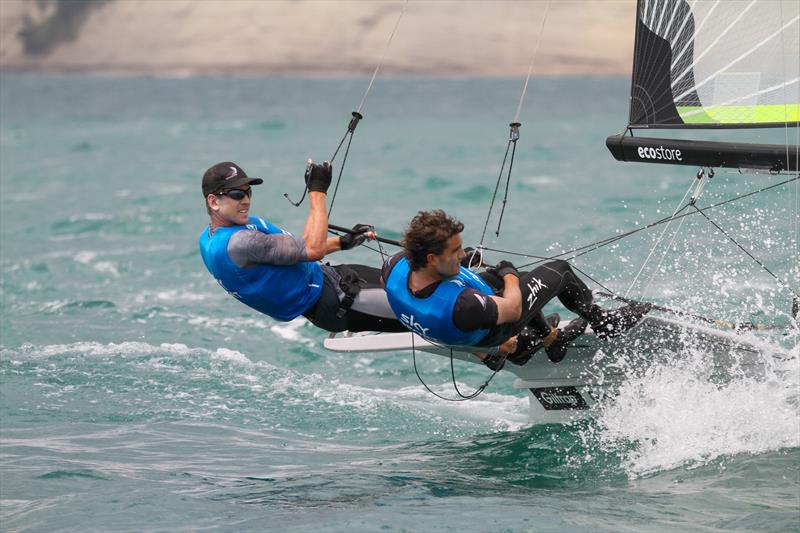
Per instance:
{"type": "Point", "coordinates": [714, 64]}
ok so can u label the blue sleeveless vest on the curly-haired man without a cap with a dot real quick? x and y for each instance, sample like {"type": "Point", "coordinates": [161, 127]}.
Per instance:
{"type": "Point", "coordinates": [432, 317]}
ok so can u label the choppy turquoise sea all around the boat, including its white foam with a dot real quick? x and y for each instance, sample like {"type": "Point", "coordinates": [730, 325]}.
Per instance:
{"type": "Point", "coordinates": [137, 395]}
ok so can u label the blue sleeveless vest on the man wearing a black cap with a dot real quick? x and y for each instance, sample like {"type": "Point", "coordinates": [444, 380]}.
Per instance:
{"type": "Point", "coordinates": [282, 292]}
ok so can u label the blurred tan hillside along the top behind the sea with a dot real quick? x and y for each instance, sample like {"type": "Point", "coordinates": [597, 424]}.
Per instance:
{"type": "Point", "coordinates": [318, 37]}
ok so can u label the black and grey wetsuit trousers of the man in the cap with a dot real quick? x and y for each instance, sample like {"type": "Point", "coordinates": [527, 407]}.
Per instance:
{"type": "Point", "coordinates": [370, 310]}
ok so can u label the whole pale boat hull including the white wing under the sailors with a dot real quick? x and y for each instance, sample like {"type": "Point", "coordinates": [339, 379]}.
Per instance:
{"type": "Point", "coordinates": [594, 368]}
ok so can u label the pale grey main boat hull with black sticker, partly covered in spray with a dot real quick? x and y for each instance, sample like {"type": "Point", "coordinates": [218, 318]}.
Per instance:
{"type": "Point", "coordinates": [594, 369]}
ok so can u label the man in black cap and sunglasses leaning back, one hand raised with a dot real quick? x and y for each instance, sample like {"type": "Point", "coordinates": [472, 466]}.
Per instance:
{"type": "Point", "coordinates": [276, 273]}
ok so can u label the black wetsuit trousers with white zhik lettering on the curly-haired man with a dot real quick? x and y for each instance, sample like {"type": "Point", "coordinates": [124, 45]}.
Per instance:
{"type": "Point", "coordinates": [554, 279]}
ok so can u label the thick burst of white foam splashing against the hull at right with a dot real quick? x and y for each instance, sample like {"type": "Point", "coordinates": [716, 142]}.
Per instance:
{"type": "Point", "coordinates": [675, 415]}
